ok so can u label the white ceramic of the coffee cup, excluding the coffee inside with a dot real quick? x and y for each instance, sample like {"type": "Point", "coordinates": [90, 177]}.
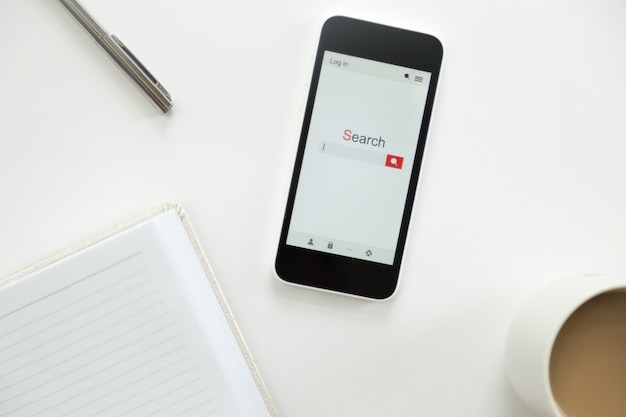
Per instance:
{"type": "Point", "coordinates": [534, 329]}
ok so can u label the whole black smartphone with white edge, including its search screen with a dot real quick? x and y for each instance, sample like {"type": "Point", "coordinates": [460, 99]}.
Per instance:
{"type": "Point", "coordinates": [358, 159]}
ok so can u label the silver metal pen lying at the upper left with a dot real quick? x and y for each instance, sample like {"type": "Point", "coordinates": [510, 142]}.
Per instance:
{"type": "Point", "coordinates": [122, 56]}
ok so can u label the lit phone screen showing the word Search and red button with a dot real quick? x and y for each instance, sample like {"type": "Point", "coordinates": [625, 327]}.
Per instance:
{"type": "Point", "coordinates": [358, 158]}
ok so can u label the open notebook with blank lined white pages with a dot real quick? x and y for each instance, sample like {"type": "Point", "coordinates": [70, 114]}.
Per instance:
{"type": "Point", "coordinates": [130, 323]}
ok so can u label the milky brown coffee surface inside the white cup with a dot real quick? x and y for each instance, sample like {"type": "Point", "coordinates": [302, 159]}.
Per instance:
{"type": "Point", "coordinates": [588, 360]}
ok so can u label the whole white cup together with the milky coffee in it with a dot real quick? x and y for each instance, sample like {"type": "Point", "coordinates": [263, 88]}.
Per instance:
{"type": "Point", "coordinates": [566, 348]}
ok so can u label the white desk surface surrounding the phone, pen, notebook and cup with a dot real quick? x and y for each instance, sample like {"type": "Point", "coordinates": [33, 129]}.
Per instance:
{"type": "Point", "coordinates": [524, 176]}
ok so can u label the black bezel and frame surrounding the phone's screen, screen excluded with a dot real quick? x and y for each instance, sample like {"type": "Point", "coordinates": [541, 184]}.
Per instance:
{"type": "Point", "coordinates": [329, 271]}
